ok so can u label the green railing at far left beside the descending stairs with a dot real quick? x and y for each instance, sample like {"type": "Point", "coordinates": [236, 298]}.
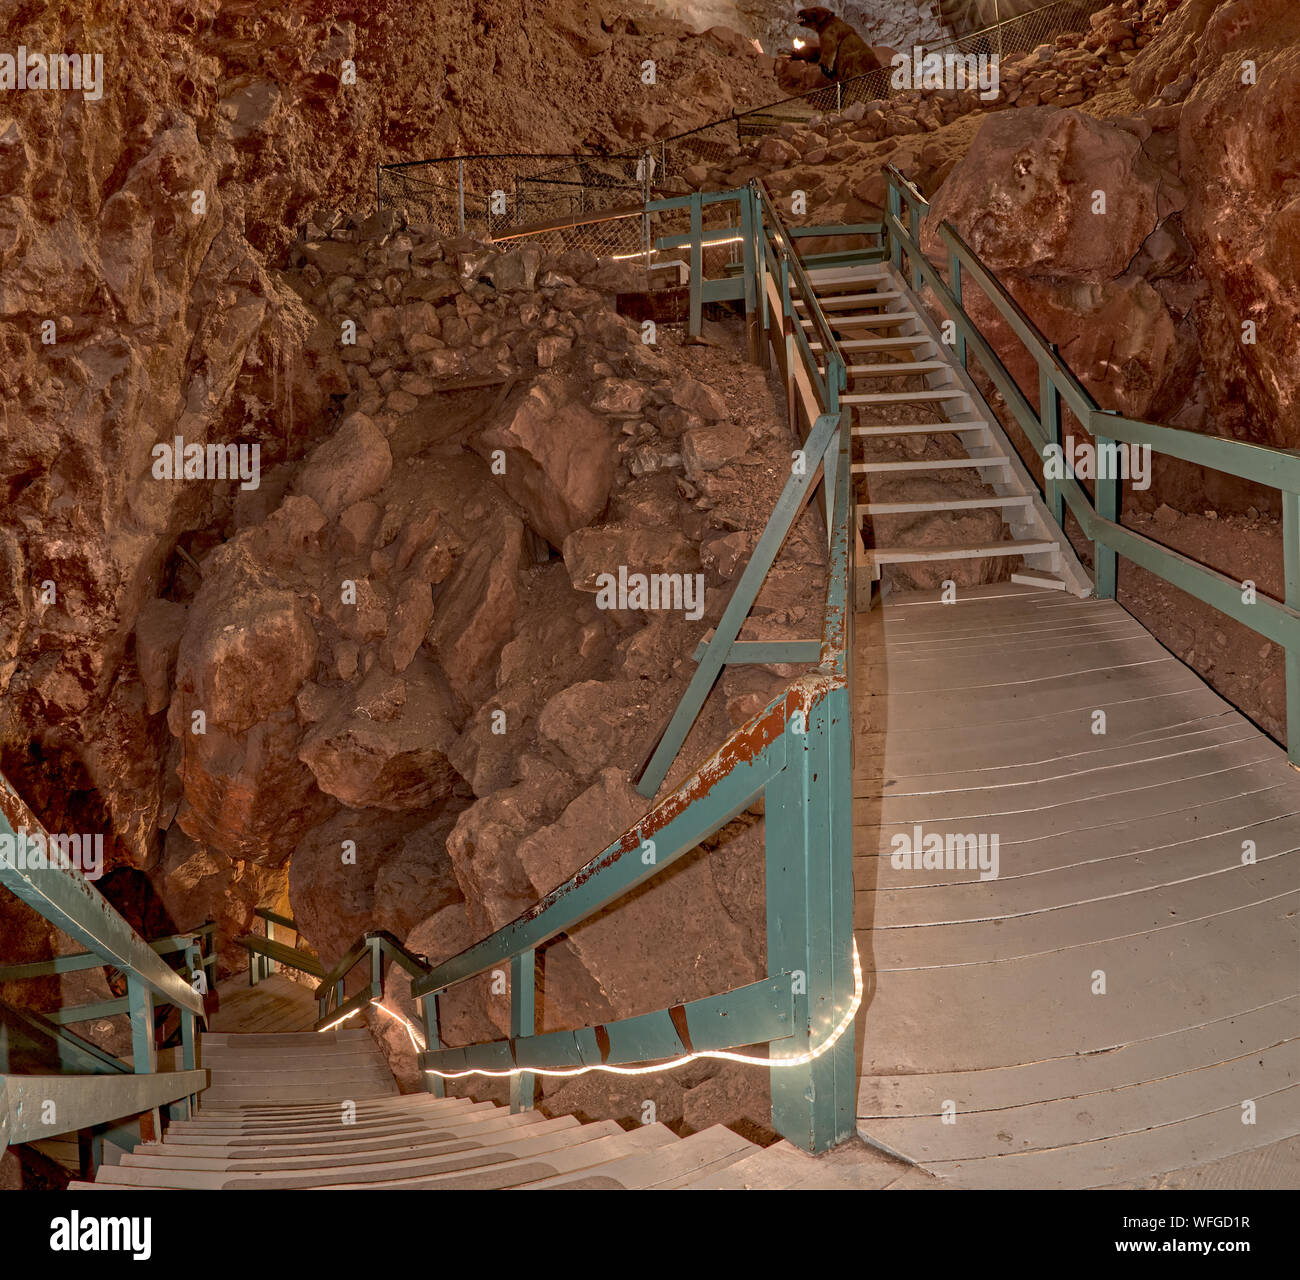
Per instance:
{"type": "Point", "coordinates": [64, 897]}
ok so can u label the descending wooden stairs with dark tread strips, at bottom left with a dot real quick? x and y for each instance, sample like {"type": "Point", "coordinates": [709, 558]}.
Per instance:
{"type": "Point", "coordinates": [322, 1112]}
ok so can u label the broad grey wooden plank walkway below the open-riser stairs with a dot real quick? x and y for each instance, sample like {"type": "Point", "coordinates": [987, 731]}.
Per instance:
{"type": "Point", "coordinates": [1123, 997]}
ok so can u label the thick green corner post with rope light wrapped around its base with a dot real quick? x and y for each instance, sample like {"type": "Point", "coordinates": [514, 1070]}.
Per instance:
{"type": "Point", "coordinates": [809, 861]}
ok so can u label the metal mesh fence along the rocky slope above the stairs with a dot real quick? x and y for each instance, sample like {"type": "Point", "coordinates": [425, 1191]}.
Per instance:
{"type": "Point", "coordinates": [495, 197]}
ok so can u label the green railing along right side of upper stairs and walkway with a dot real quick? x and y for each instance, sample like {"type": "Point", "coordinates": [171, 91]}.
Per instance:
{"type": "Point", "coordinates": [1099, 514]}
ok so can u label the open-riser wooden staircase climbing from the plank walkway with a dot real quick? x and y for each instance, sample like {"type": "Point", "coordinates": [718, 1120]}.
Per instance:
{"type": "Point", "coordinates": [930, 449]}
